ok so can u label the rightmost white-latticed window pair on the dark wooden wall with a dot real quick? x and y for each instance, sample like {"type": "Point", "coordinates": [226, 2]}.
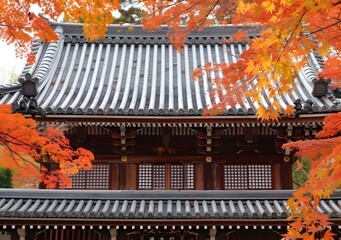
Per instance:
{"type": "Point", "coordinates": [248, 176]}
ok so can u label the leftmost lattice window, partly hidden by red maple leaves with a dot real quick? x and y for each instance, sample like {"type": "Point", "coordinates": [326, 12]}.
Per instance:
{"type": "Point", "coordinates": [98, 177]}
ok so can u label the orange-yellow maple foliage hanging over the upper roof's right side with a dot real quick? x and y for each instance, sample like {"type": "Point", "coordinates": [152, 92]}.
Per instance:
{"type": "Point", "coordinates": [289, 31]}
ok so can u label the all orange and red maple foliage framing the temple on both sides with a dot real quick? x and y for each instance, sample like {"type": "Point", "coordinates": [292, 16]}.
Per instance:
{"type": "Point", "coordinates": [289, 31]}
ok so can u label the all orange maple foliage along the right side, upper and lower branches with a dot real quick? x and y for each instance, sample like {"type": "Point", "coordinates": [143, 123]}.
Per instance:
{"type": "Point", "coordinates": [289, 31]}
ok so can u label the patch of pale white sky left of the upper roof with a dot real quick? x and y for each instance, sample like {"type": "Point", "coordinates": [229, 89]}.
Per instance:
{"type": "Point", "coordinates": [8, 62]}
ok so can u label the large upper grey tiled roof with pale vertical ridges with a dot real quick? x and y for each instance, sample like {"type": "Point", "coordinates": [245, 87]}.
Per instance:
{"type": "Point", "coordinates": [140, 73]}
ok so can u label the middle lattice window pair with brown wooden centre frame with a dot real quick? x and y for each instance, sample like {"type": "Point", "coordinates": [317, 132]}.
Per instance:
{"type": "Point", "coordinates": [166, 176]}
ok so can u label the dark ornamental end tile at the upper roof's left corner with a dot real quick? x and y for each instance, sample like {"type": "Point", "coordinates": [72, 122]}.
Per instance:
{"type": "Point", "coordinates": [28, 104]}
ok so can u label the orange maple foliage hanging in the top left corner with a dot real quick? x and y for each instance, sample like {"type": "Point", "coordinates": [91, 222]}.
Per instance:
{"type": "Point", "coordinates": [19, 24]}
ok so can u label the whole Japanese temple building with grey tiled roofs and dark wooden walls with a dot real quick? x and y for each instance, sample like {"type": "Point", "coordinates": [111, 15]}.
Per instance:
{"type": "Point", "coordinates": [162, 171]}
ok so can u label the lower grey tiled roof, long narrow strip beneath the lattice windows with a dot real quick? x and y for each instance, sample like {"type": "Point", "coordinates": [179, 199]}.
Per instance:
{"type": "Point", "coordinates": [83, 204]}
